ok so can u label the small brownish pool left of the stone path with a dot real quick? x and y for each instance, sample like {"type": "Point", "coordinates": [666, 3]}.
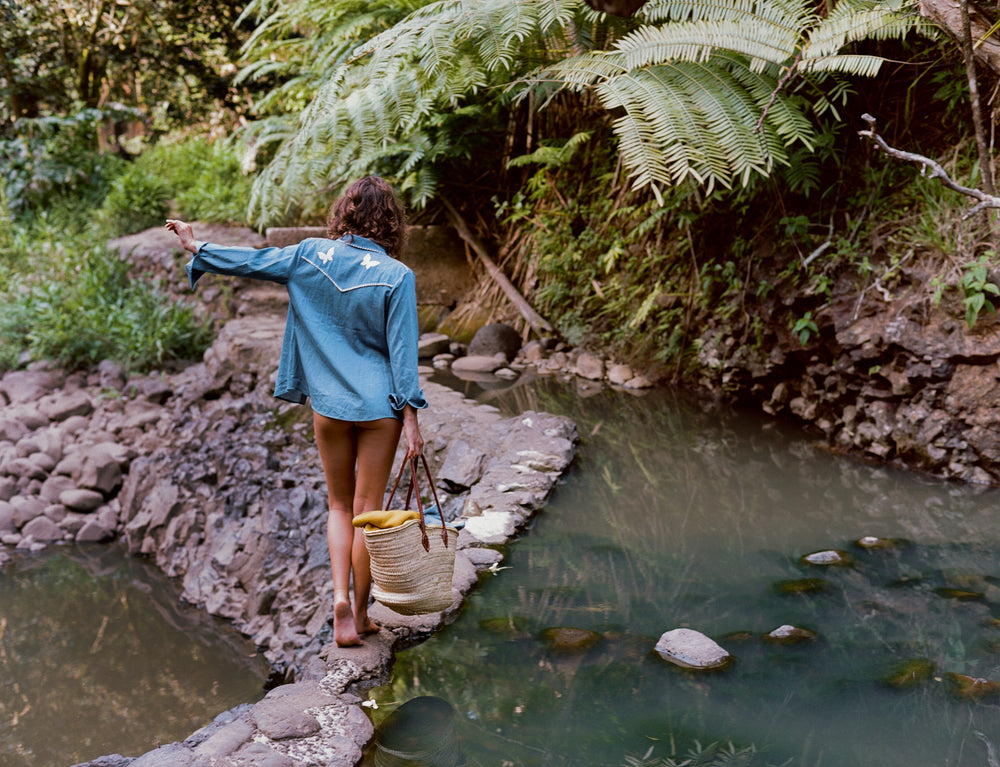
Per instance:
{"type": "Point", "coordinates": [97, 656]}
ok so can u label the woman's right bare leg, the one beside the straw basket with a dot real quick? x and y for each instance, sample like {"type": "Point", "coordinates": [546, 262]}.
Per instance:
{"type": "Point", "coordinates": [377, 442]}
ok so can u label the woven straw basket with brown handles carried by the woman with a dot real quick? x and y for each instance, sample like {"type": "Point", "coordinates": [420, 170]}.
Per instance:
{"type": "Point", "coordinates": [413, 564]}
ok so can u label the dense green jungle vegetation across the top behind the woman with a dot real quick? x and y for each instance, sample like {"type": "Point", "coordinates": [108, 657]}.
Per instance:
{"type": "Point", "coordinates": [638, 179]}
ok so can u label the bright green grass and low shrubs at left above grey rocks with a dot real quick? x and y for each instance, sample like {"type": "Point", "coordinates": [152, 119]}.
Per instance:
{"type": "Point", "coordinates": [64, 296]}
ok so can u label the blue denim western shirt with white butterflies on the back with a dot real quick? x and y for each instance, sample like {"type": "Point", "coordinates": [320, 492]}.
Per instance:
{"type": "Point", "coordinates": [350, 342]}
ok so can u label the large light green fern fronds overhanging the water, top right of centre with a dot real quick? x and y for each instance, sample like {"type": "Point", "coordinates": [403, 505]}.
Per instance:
{"type": "Point", "coordinates": [726, 116]}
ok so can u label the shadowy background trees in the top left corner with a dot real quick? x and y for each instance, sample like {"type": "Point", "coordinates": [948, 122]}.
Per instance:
{"type": "Point", "coordinates": [60, 56]}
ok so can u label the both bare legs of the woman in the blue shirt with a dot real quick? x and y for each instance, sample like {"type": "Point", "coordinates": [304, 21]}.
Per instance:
{"type": "Point", "coordinates": [369, 446]}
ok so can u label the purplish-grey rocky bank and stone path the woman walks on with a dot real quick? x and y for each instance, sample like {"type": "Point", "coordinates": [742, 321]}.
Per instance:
{"type": "Point", "coordinates": [204, 472]}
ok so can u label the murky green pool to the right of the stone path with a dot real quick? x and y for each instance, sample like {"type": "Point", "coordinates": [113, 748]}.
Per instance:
{"type": "Point", "coordinates": [679, 515]}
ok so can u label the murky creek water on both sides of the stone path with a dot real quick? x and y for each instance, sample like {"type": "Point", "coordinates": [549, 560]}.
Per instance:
{"type": "Point", "coordinates": [672, 515]}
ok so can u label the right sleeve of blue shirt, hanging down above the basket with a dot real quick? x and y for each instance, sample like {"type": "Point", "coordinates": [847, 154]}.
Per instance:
{"type": "Point", "coordinates": [402, 334]}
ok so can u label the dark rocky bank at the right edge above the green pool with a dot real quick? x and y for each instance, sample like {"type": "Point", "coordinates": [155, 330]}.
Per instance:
{"type": "Point", "coordinates": [889, 376]}
